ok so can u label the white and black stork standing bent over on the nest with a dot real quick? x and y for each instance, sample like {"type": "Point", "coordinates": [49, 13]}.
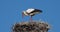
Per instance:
{"type": "Point", "coordinates": [31, 12]}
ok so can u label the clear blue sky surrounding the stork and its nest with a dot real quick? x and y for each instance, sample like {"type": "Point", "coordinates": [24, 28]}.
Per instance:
{"type": "Point", "coordinates": [10, 12]}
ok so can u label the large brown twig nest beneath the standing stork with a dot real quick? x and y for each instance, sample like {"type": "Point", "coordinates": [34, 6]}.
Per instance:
{"type": "Point", "coordinates": [31, 27]}
